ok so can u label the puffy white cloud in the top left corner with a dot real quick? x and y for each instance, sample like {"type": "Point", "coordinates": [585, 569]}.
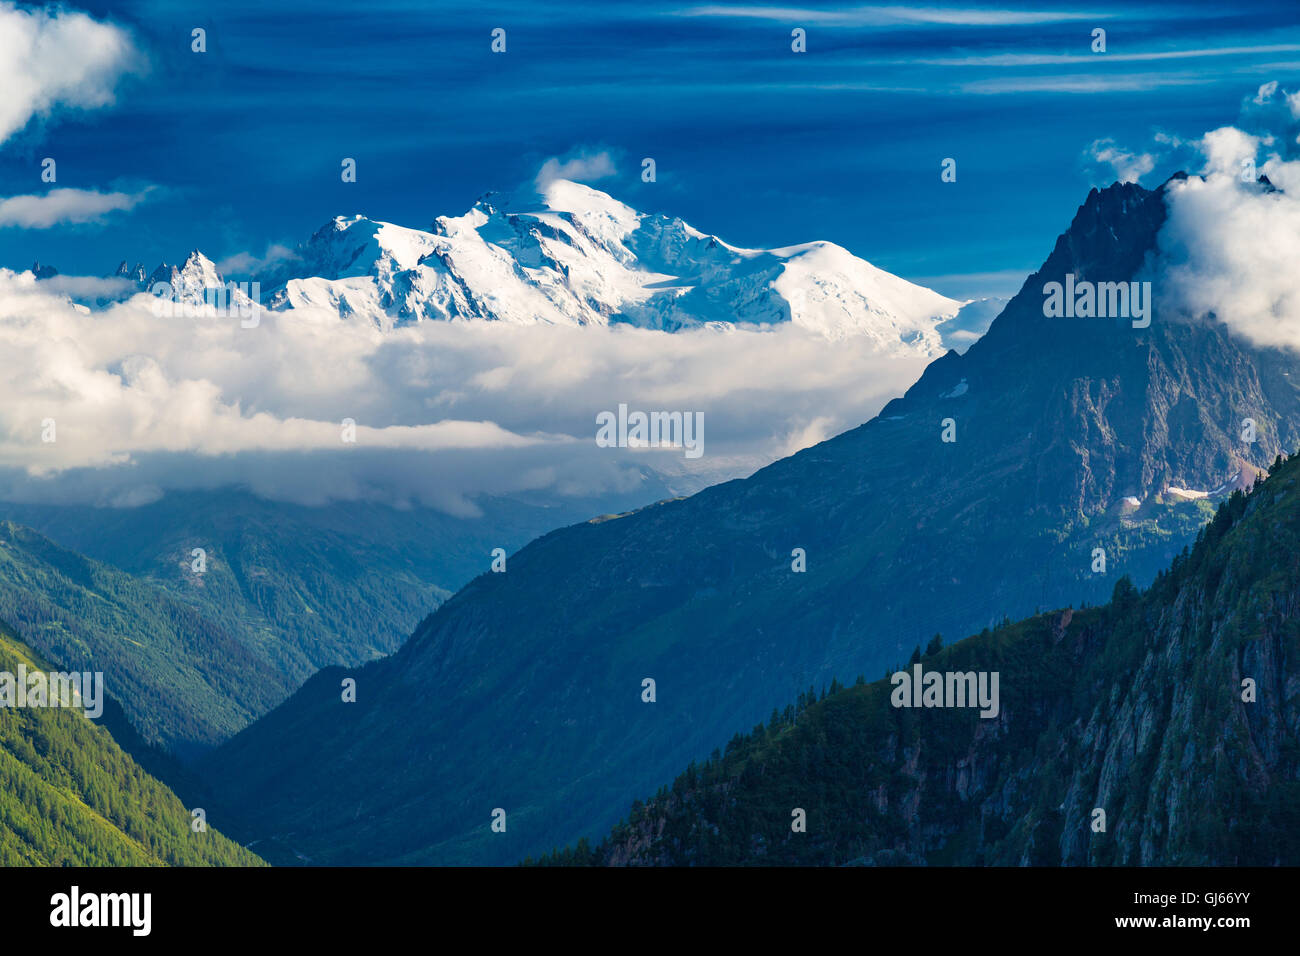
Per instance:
{"type": "Point", "coordinates": [54, 59]}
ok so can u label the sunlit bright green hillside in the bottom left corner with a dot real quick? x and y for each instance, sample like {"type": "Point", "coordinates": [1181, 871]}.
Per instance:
{"type": "Point", "coordinates": [70, 797]}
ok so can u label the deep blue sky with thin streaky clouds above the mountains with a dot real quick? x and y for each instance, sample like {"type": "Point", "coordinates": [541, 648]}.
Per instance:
{"type": "Point", "coordinates": [762, 146]}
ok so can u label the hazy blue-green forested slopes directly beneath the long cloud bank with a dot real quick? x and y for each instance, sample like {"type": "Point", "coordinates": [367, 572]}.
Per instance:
{"type": "Point", "coordinates": [288, 590]}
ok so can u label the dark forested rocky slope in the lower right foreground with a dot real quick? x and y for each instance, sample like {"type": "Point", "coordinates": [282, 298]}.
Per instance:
{"type": "Point", "coordinates": [1134, 708]}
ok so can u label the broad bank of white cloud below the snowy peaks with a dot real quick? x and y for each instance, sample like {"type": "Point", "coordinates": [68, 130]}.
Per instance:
{"type": "Point", "coordinates": [444, 412]}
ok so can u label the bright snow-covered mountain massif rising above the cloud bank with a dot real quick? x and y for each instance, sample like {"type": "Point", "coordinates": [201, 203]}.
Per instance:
{"type": "Point", "coordinates": [574, 256]}
